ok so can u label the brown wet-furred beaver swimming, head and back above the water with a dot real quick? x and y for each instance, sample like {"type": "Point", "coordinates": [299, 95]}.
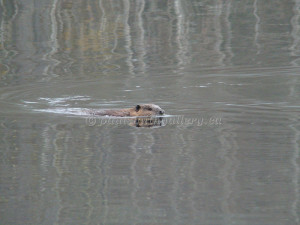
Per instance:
{"type": "Point", "coordinates": [144, 110]}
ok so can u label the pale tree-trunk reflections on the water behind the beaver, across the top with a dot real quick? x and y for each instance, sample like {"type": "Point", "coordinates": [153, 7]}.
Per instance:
{"type": "Point", "coordinates": [90, 38]}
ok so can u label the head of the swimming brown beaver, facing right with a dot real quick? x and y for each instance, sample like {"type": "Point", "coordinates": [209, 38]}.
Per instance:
{"type": "Point", "coordinates": [146, 110]}
